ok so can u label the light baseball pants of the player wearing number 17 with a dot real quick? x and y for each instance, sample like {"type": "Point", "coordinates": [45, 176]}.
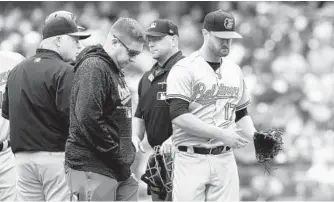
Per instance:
{"type": "Point", "coordinates": [199, 177]}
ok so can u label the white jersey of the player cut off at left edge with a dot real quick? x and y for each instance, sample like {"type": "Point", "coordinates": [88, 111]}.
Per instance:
{"type": "Point", "coordinates": [8, 61]}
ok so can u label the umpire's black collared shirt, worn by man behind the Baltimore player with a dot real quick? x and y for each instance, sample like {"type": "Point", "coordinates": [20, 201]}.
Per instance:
{"type": "Point", "coordinates": [152, 106]}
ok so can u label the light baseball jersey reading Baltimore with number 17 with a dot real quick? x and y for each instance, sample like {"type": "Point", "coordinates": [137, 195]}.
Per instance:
{"type": "Point", "coordinates": [213, 96]}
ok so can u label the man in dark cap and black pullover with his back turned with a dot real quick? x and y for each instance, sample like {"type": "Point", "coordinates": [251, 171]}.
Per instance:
{"type": "Point", "coordinates": [36, 103]}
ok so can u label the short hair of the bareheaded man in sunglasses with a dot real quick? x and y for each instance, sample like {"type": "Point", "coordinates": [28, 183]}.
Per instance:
{"type": "Point", "coordinates": [128, 30]}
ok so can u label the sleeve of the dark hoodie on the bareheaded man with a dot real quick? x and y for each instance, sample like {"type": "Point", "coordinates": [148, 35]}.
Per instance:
{"type": "Point", "coordinates": [91, 97]}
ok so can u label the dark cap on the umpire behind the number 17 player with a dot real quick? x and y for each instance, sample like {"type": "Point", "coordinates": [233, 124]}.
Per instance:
{"type": "Point", "coordinates": [162, 27]}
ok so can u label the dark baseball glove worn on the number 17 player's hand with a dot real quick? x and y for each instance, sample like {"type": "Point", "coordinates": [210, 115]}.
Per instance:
{"type": "Point", "coordinates": [267, 145]}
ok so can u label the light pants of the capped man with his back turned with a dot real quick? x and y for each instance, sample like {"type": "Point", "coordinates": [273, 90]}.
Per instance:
{"type": "Point", "coordinates": [41, 176]}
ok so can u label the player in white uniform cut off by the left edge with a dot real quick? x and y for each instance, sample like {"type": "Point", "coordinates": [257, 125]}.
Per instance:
{"type": "Point", "coordinates": [8, 61]}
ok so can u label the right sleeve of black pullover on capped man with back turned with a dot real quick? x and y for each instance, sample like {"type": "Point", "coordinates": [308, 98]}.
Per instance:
{"type": "Point", "coordinates": [64, 86]}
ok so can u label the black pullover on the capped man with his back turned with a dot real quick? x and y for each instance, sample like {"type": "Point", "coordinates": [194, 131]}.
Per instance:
{"type": "Point", "coordinates": [36, 102]}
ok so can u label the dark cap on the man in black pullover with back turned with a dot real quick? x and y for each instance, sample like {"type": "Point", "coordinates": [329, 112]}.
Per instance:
{"type": "Point", "coordinates": [62, 26]}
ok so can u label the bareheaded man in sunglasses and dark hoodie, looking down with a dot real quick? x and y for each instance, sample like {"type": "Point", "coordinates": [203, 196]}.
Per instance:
{"type": "Point", "coordinates": [99, 151]}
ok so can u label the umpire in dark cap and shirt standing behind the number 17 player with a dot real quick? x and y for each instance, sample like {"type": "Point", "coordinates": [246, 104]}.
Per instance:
{"type": "Point", "coordinates": [152, 114]}
